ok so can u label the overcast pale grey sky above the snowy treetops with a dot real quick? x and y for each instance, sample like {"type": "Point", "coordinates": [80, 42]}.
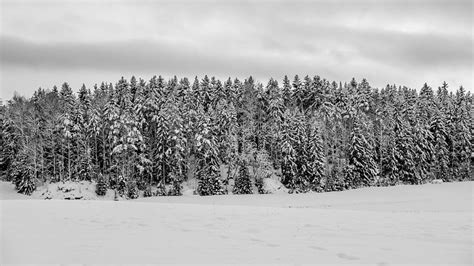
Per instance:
{"type": "Point", "coordinates": [44, 43]}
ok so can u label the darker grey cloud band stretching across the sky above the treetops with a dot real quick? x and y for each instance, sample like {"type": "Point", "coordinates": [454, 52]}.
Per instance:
{"type": "Point", "coordinates": [399, 49]}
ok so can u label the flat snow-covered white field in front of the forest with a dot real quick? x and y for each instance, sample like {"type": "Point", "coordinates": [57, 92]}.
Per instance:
{"type": "Point", "coordinates": [429, 224]}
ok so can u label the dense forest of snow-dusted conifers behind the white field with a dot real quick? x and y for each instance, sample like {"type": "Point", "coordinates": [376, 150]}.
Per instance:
{"type": "Point", "coordinates": [313, 134]}
